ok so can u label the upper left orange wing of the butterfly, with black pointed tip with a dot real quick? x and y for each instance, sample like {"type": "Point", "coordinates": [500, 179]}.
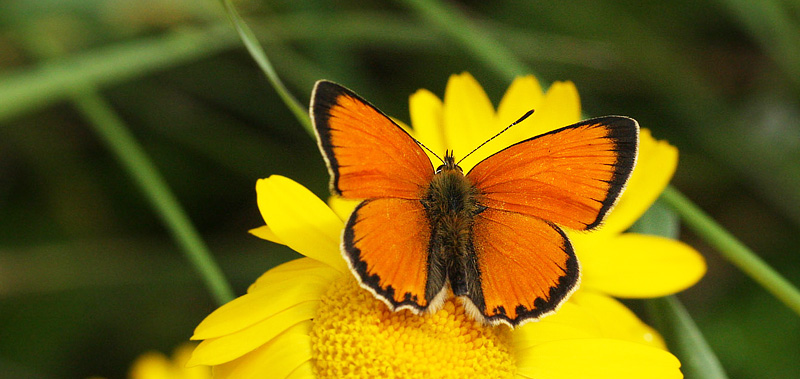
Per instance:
{"type": "Point", "coordinates": [368, 155]}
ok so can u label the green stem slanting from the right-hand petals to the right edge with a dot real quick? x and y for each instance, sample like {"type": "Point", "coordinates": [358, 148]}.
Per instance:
{"type": "Point", "coordinates": [732, 249]}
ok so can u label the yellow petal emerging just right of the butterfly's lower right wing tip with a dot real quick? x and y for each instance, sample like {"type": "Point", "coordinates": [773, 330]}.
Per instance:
{"type": "Point", "coordinates": [616, 320]}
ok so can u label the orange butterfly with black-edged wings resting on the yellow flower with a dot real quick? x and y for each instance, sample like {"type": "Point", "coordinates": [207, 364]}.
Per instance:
{"type": "Point", "coordinates": [492, 237]}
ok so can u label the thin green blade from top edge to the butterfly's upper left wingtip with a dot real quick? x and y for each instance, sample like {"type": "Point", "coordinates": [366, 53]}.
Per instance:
{"type": "Point", "coordinates": [258, 54]}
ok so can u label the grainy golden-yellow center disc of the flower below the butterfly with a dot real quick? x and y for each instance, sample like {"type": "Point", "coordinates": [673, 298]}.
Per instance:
{"type": "Point", "coordinates": [357, 336]}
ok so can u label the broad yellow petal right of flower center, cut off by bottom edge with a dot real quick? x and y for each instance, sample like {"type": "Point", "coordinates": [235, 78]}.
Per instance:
{"type": "Point", "coordinates": [597, 358]}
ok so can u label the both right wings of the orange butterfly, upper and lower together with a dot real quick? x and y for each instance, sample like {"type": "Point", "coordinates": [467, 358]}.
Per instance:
{"type": "Point", "coordinates": [570, 177]}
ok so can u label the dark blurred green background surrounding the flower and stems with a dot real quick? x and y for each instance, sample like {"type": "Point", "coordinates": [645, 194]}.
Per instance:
{"type": "Point", "coordinates": [90, 277]}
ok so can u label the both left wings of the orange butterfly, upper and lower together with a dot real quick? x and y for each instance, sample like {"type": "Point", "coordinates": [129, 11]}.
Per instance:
{"type": "Point", "coordinates": [370, 157]}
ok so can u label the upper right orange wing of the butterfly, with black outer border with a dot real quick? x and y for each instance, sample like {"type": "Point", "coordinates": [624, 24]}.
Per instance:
{"type": "Point", "coordinates": [571, 176]}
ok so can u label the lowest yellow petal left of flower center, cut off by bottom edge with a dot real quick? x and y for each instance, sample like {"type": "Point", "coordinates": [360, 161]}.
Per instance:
{"type": "Point", "coordinates": [276, 359]}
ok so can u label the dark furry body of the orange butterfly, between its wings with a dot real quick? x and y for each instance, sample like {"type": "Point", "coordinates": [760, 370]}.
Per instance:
{"type": "Point", "coordinates": [451, 204]}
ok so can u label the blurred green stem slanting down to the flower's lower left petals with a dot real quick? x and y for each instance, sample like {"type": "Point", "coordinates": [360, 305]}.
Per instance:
{"type": "Point", "coordinates": [114, 132]}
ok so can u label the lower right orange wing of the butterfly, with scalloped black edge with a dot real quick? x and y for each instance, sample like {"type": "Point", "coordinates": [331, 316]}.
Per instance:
{"type": "Point", "coordinates": [527, 267]}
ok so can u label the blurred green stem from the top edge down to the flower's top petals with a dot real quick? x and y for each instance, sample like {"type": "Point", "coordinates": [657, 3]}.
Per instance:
{"type": "Point", "coordinates": [461, 29]}
